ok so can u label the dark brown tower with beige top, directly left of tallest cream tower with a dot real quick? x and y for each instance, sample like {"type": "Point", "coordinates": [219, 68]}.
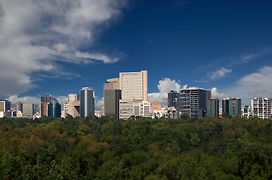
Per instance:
{"type": "Point", "coordinates": [112, 95]}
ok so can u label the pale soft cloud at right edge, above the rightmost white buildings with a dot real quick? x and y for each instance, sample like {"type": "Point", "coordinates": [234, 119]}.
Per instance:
{"type": "Point", "coordinates": [254, 84]}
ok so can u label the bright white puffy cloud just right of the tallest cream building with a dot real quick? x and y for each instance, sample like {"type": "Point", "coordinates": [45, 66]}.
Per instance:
{"type": "Point", "coordinates": [165, 86]}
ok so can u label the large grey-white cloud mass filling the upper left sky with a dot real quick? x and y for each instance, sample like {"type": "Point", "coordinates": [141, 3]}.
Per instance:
{"type": "Point", "coordinates": [36, 34]}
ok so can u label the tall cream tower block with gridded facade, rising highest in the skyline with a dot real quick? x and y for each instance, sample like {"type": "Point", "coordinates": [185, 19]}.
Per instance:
{"type": "Point", "coordinates": [134, 85]}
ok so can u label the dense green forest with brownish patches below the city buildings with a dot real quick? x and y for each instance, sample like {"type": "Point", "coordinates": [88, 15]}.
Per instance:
{"type": "Point", "coordinates": [141, 148]}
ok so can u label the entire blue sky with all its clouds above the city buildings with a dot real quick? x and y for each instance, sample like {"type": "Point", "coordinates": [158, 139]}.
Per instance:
{"type": "Point", "coordinates": [224, 46]}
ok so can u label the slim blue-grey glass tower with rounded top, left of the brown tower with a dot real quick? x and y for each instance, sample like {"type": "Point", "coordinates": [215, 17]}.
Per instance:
{"type": "Point", "coordinates": [86, 102]}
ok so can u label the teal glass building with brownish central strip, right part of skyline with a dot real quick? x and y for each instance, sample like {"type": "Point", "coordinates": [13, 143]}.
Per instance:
{"type": "Point", "coordinates": [231, 107]}
